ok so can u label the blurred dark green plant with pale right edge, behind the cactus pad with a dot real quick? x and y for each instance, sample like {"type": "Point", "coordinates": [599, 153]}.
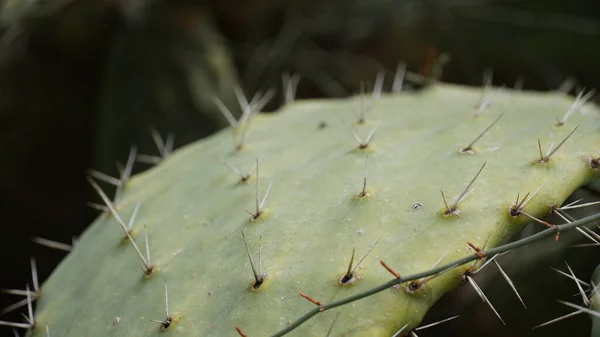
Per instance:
{"type": "Point", "coordinates": [163, 73]}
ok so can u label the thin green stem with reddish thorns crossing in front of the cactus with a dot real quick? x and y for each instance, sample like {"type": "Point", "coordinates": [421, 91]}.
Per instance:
{"type": "Point", "coordinates": [466, 259]}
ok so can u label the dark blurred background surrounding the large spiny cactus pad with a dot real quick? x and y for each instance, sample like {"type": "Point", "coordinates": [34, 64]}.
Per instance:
{"type": "Point", "coordinates": [83, 80]}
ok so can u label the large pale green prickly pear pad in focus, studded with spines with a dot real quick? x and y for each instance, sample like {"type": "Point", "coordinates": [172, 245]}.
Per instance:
{"type": "Point", "coordinates": [330, 190]}
